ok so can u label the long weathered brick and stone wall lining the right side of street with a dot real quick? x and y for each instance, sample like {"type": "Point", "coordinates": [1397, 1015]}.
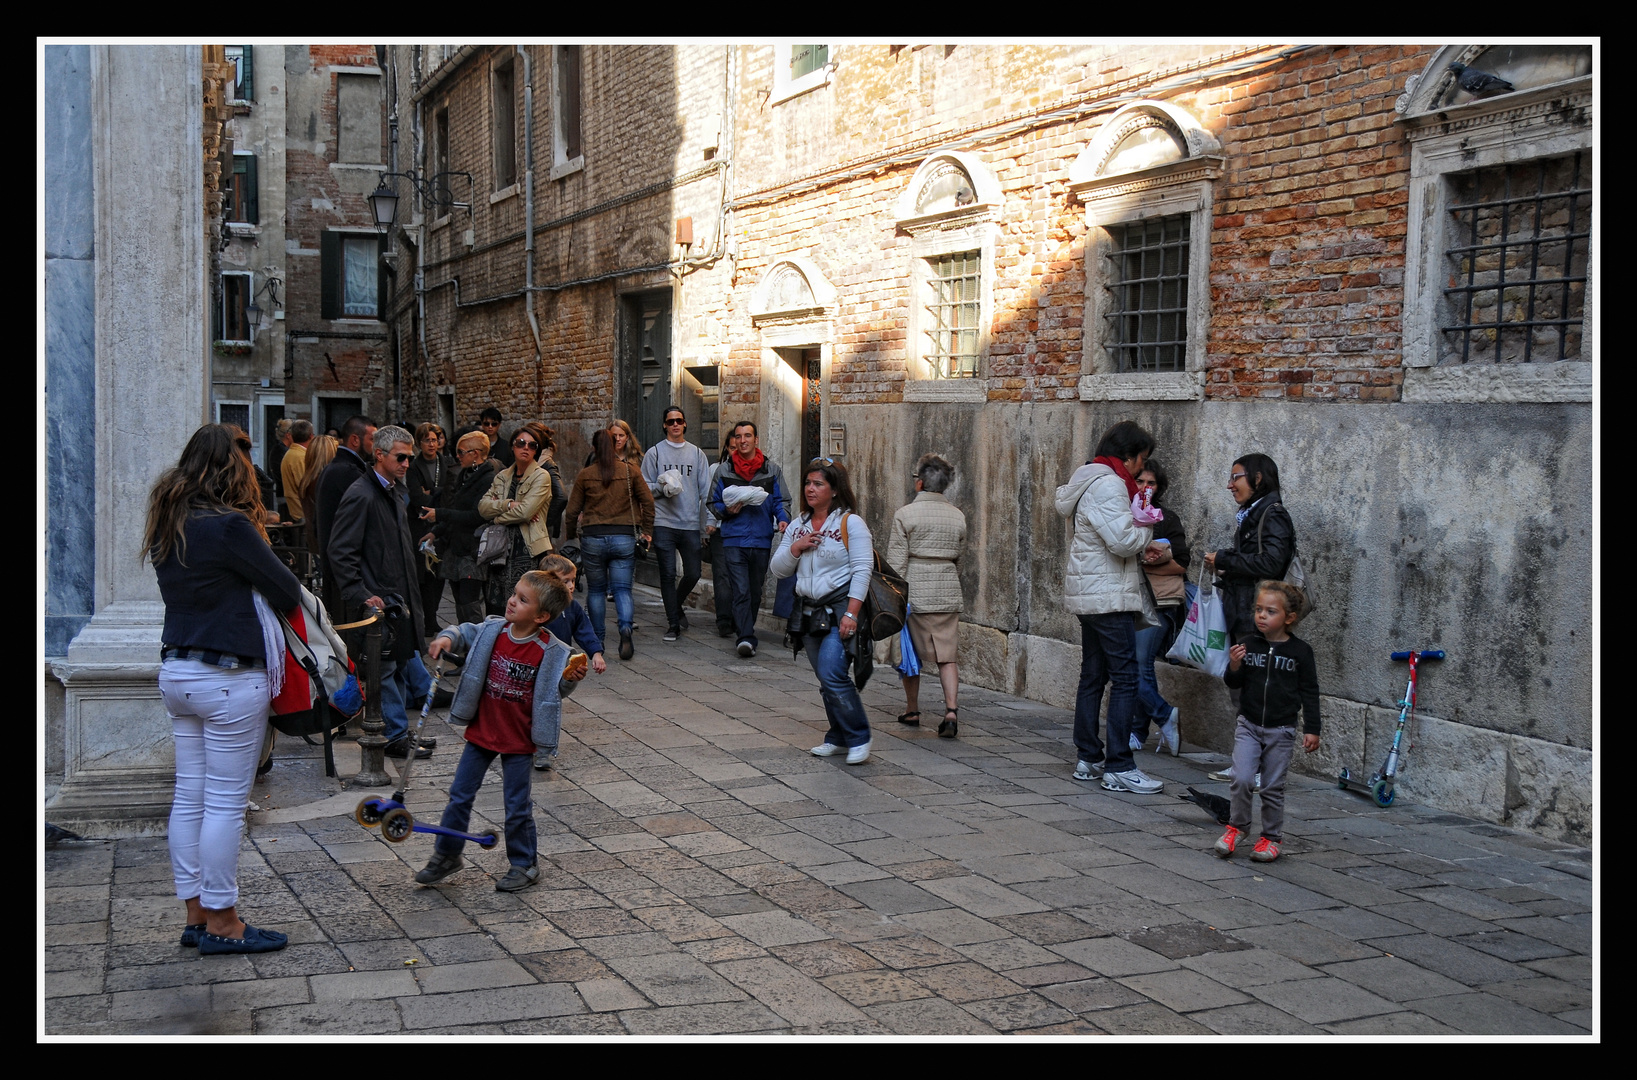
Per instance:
{"type": "Point", "coordinates": [1296, 326]}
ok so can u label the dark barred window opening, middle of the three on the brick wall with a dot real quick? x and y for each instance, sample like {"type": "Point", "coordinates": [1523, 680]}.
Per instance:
{"type": "Point", "coordinates": [1148, 279]}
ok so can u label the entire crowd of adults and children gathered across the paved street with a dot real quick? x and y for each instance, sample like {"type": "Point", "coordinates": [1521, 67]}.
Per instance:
{"type": "Point", "coordinates": [392, 516]}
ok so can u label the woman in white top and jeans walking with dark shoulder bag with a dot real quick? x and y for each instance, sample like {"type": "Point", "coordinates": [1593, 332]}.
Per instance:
{"type": "Point", "coordinates": [831, 552]}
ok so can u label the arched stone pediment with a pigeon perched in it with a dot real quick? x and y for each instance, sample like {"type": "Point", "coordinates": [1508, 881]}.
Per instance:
{"type": "Point", "coordinates": [1531, 71]}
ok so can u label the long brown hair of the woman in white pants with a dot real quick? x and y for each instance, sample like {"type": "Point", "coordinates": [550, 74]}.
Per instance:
{"type": "Point", "coordinates": [215, 475]}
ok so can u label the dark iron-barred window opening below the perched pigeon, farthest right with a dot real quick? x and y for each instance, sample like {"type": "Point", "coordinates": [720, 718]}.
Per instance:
{"type": "Point", "coordinates": [1520, 241]}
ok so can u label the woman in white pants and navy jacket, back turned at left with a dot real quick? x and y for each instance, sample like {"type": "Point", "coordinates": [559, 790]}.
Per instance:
{"type": "Point", "coordinates": [220, 582]}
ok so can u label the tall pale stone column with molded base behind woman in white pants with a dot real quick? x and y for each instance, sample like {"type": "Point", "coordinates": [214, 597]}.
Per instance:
{"type": "Point", "coordinates": [151, 348]}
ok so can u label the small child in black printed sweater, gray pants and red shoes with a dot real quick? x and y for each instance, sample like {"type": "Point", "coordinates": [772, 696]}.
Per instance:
{"type": "Point", "coordinates": [1276, 678]}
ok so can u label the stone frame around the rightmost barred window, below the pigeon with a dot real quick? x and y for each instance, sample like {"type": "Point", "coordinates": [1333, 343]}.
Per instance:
{"type": "Point", "coordinates": [1446, 140]}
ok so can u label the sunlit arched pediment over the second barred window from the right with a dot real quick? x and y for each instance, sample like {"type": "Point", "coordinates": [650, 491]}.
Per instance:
{"type": "Point", "coordinates": [1145, 142]}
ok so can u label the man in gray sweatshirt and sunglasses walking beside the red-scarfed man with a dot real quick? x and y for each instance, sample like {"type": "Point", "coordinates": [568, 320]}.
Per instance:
{"type": "Point", "coordinates": [679, 513]}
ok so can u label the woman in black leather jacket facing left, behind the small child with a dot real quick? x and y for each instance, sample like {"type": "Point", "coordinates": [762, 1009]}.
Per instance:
{"type": "Point", "coordinates": [1265, 542]}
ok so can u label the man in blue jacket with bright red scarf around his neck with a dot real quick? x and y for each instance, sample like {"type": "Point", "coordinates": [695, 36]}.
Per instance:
{"type": "Point", "coordinates": [749, 533]}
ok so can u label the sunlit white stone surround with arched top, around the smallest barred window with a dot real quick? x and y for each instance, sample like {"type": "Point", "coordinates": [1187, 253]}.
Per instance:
{"type": "Point", "coordinates": [972, 228]}
